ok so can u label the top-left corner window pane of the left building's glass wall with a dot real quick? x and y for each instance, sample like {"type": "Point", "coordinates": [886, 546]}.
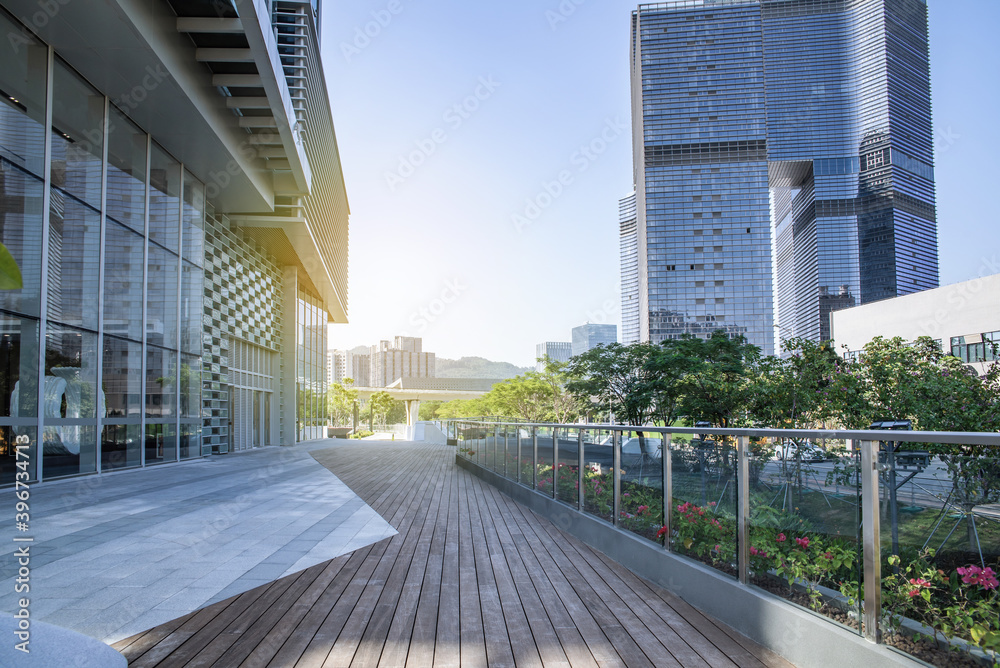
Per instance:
{"type": "Point", "coordinates": [22, 100]}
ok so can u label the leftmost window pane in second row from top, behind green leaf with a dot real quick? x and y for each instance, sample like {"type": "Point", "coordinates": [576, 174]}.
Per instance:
{"type": "Point", "coordinates": [21, 233]}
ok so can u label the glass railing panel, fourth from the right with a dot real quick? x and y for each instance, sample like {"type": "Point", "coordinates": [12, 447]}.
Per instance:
{"type": "Point", "coordinates": [641, 508]}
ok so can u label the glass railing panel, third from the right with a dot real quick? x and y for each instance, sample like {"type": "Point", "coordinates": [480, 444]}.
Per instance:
{"type": "Point", "coordinates": [704, 503]}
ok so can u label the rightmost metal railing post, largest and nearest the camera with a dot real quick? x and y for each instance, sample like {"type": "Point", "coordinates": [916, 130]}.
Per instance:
{"type": "Point", "coordinates": [872, 558]}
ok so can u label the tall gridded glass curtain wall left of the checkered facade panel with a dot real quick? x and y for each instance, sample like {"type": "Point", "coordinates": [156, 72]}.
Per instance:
{"type": "Point", "coordinates": [101, 348]}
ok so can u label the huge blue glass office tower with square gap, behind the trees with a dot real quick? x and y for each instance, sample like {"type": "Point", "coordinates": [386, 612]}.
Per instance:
{"type": "Point", "coordinates": [809, 120]}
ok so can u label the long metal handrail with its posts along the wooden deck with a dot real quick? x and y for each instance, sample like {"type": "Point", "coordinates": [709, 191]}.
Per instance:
{"type": "Point", "coordinates": [864, 442]}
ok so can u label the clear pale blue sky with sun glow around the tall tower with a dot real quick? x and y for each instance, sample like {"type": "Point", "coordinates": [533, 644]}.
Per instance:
{"type": "Point", "coordinates": [434, 249]}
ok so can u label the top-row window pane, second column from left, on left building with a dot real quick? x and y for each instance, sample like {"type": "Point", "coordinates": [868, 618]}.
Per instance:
{"type": "Point", "coordinates": [77, 136]}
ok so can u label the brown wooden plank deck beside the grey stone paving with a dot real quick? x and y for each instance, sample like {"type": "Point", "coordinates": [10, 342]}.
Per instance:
{"type": "Point", "coordinates": [472, 579]}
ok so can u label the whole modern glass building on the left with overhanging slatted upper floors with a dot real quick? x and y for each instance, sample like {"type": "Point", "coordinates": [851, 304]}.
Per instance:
{"type": "Point", "coordinates": [171, 190]}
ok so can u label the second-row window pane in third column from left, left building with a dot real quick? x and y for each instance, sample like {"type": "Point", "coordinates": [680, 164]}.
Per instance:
{"type": "Point", "coordinates": [122, 282]}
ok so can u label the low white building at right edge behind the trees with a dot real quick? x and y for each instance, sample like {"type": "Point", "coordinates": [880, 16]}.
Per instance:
{"type": "Point", "coordinates": [964, 318]}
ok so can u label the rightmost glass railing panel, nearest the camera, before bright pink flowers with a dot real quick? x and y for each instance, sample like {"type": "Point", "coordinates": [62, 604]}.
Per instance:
{"type": "Point", "coordinates": [940, 543]}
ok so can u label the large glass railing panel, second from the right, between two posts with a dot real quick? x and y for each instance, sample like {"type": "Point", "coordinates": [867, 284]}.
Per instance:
{"type": "Point", "coordinates": [804, 520]}
